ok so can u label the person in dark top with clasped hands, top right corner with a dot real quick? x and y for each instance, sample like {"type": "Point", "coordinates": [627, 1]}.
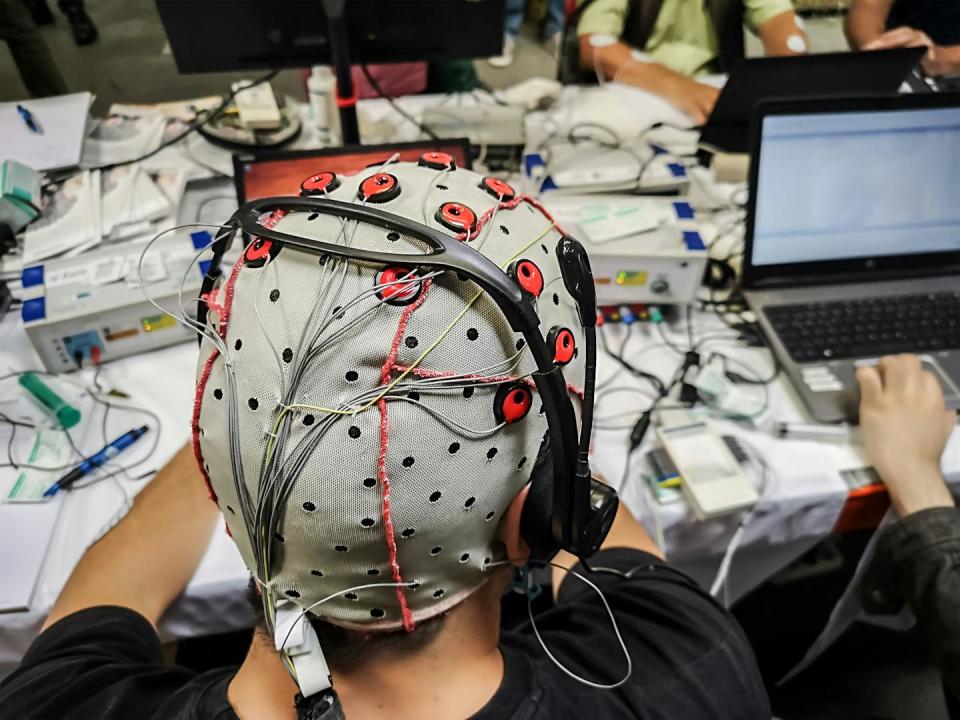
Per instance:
{"type": "Point", "coordinates": [884, 24]}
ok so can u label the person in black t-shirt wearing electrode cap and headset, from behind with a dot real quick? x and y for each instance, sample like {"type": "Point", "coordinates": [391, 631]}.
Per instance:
{"type": "Point", "coordinates": [372, 426]}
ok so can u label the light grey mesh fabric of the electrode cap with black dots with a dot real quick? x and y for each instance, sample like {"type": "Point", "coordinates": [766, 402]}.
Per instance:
{"type": "Point", "coordinates": [306, 334]}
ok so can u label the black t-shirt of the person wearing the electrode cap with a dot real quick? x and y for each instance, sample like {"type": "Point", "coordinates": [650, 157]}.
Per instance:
{"type": "Point", "coordinates": [690, 660]}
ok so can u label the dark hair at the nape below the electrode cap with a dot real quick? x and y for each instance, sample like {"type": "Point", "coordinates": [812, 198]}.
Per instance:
{"type": "Point", "coordinates": [346, 650]}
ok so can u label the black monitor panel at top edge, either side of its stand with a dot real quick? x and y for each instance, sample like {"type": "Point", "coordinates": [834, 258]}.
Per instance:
{"type": "Point", "coordinates": [227, 35]}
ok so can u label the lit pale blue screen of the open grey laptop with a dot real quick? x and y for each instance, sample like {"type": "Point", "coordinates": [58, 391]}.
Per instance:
{"type": "Point", "coordinates": [848, 185]}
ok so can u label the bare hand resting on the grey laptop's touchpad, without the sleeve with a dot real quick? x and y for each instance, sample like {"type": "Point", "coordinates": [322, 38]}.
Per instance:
{"type": "Point", "coordinates": [905, 427]}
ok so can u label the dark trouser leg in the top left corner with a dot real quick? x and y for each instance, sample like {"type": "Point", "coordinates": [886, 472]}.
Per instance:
{"type": "Point", "coordinates": [30, 53]}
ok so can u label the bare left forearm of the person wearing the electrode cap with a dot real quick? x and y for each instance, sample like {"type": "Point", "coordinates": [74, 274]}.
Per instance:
{"type": "Point", "coordinates": [147, 559]}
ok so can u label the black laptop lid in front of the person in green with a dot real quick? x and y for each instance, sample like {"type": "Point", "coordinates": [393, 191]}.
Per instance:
{"type": "Point", "coordinates": [876, 72]}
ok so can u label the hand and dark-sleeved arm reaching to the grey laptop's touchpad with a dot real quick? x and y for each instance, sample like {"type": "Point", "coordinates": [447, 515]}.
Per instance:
{"type": "Point", "coordinates": [905, 429]}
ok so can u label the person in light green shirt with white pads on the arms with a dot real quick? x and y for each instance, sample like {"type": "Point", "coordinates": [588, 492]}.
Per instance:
{"type": "Point", "coordinates": [661, 46]}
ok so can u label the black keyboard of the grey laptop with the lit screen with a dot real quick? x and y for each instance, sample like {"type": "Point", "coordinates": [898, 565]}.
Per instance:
{"type": "Point", "coordinates": [868, 327]}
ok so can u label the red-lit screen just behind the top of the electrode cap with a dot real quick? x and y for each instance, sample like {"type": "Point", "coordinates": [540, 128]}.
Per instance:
{"type": "Point", "coordinates": [282, 174]}
